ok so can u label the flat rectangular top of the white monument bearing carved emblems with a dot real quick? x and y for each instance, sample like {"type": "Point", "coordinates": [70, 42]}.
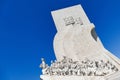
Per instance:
{"type": "Point", "coordinates": [71, 15]}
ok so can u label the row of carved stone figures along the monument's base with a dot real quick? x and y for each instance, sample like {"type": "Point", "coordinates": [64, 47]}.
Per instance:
{"type": "Point", "coordinates": [79, 68]}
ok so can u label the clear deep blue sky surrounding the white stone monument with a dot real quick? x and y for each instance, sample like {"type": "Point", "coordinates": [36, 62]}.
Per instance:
{"type": "Point", "coordinates": [27, 31]}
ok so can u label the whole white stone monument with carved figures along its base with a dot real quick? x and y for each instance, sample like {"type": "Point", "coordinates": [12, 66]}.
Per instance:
{"type": "Point", "coordinates": [79, 52]}
